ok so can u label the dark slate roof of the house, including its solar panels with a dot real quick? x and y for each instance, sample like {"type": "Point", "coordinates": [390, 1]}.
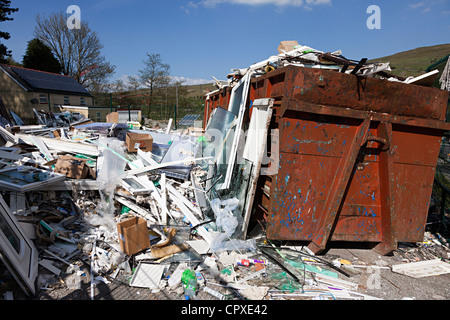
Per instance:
{"type": "Point", "coordinates": [41, 81]}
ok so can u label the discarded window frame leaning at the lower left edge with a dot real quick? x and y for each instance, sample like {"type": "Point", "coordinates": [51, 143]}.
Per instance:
{"type": "Point", "coordinates": [21, 260]}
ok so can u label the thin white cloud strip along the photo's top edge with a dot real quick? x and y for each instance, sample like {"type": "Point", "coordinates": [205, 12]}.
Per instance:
{"type": "Point", "coordinates": [278, 3]}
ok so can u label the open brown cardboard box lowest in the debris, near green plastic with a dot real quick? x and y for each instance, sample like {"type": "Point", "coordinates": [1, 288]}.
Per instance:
{"type": "Point", "coordinates": [133, 235]}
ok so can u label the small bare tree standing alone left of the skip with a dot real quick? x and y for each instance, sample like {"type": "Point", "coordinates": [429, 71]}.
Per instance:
{"type": "Point", "coordinates": [154, 75]}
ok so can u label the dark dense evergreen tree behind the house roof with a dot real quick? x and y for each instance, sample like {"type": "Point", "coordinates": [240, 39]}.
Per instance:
{"type": "Point", "coordinates": [40, 57]}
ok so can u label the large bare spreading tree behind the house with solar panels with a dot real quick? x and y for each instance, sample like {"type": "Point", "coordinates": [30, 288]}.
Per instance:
{"type": "Point", "coordinates": [77, 50]}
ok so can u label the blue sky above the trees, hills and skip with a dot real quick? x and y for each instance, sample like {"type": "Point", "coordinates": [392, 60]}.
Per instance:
{"type": "Point", "coordinates": [204, 38]}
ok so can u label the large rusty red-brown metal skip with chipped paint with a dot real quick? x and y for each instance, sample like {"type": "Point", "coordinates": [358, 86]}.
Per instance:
{"type": "Point", "coordinates": [357, 157]}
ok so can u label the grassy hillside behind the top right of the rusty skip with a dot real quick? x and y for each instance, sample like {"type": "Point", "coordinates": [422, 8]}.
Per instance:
{"type": "Point", "coordinates": [415, 62]}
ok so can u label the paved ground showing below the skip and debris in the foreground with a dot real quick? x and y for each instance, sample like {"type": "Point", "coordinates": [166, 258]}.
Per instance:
{"type": "Point", "coordinates": [383, 283]}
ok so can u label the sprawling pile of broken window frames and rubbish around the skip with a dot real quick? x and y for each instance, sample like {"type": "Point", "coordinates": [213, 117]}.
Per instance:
{"type": "Point", "coordinates": [162, 209]}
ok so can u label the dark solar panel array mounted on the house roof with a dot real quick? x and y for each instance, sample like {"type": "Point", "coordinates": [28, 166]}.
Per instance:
{"type": "Point", "coordinates": [49, 81]}
